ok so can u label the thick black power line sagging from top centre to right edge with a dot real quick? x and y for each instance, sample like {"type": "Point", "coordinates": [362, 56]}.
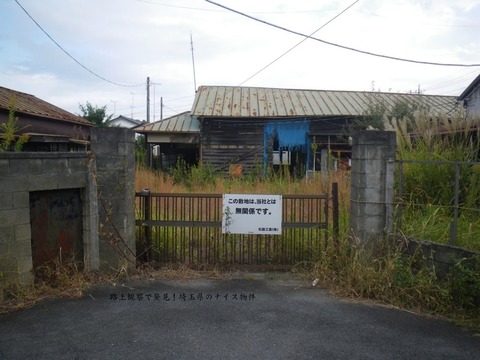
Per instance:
{"type": "Point", "coordinates": [338, 45]}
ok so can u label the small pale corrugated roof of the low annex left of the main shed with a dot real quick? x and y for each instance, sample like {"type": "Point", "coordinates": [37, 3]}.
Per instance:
{"type": "Point", "coordinates": [181, 123]}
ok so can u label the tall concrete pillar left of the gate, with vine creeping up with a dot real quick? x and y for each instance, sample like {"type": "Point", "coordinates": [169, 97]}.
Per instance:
{"type": "Point", "coordinates": [114, 152]}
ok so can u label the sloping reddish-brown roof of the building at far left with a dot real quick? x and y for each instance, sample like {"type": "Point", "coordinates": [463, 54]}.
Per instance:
{"type": "Point", "coordinates": [31, 105]}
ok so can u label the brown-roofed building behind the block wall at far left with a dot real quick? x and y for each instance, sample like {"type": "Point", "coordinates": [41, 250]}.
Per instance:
{"type": "Point", "coordinates": [49, 127]}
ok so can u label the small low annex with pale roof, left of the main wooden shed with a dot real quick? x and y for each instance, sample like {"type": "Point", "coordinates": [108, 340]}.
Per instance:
{"type": "Point", "coordinates": [171, 139]}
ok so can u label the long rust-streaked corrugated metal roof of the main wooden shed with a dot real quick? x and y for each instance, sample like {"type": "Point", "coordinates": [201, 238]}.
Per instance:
{"type": "Point", "coordinates": [225, 101]}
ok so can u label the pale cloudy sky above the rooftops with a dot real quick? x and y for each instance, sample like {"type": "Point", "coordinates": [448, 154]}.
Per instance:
{"type": "Point", "coordinates": [70, 52]}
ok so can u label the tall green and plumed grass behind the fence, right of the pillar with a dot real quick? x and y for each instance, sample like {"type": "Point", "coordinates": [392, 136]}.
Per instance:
{"type": "Point", "coordinates": [429, 189]}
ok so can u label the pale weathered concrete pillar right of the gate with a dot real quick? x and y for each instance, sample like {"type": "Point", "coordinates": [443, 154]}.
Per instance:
{"type": "Point", "coordinates": [372, 184]}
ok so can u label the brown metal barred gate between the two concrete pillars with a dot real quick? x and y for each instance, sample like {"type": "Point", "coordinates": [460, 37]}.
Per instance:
{"type": "Point", "coordinates": [187, 228]}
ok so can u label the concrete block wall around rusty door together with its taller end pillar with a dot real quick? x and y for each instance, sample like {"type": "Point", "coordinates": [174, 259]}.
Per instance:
{"type": "Point", "coordinates": [106, 179]}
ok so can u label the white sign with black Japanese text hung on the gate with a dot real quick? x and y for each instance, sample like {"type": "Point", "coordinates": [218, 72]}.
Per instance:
{"type": "Point", "coordinates": [252, 214]}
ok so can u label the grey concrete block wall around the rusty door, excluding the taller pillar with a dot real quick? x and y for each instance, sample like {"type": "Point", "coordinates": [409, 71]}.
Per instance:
{"type": "Point", "coordinates": [21, 173]}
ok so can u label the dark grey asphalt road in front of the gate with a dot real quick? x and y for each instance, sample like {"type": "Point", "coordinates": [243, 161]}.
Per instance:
{"type": "Point", "coordinates": [252, 318]}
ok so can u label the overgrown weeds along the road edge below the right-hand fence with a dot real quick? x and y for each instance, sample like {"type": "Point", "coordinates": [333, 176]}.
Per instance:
{"type": "Point", "coordinates": [390, 277]}
